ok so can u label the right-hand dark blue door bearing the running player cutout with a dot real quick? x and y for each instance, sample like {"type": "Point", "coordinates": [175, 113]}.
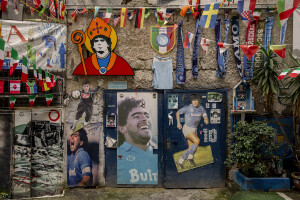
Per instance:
{"type": "Point", "coordinates": [194, 156]}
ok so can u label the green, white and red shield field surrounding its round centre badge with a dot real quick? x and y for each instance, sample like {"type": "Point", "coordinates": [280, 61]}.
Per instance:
{"type": "Point", "coordinates": [163, 30]}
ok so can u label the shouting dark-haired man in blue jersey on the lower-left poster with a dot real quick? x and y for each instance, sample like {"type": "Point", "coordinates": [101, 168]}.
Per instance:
{"type": "Point", "coordinates": [79, 163]}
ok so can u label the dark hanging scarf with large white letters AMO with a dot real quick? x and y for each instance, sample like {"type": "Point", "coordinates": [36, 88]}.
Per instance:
{"type": "Point", "coordinates": [236, 42]}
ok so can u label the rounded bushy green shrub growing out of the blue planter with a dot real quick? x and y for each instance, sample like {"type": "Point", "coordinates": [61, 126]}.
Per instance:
{"type": "Point", "coordinates": [251, 145]}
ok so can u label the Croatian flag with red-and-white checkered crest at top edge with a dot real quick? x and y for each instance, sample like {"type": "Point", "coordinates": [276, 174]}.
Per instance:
{"type": "Point", "coordinates": [246, 9]}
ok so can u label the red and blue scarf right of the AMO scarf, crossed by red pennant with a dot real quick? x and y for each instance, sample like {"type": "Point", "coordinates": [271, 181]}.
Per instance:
{"type": "Point", "coordinates": [250, 40]}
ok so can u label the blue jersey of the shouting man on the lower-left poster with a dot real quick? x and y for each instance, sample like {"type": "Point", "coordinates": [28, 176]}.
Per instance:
{"type": "Point", "coordinates": [79, 165]}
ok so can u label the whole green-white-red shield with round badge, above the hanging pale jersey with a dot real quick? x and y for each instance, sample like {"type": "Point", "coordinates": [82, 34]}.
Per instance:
{"type": "Point", "coordinates": [162, 39]}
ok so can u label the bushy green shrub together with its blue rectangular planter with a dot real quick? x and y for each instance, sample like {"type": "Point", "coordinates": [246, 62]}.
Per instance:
{"type": "Point", "coordinates": [251, 148]}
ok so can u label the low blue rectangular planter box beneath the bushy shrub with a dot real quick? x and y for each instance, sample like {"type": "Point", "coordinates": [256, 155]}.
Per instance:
{"type": "Point", "coordinates": [261, 183]}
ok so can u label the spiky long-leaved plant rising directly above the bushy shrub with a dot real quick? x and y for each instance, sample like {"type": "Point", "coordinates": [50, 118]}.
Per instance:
{"type": "Point", "coordinates": [265, 76]}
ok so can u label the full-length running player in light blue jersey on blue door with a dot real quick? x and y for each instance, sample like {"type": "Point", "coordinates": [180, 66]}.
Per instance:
{"type": "Point", "coordinates": [192, 116]}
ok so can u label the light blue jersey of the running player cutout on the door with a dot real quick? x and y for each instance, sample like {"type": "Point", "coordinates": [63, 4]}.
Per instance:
{"type": "Point", "coordinates": [192, 115]}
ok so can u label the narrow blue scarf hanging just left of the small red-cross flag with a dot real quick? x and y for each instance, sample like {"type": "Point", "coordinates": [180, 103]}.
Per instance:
{"type": "Point", "coordinates": [196, 49]}
